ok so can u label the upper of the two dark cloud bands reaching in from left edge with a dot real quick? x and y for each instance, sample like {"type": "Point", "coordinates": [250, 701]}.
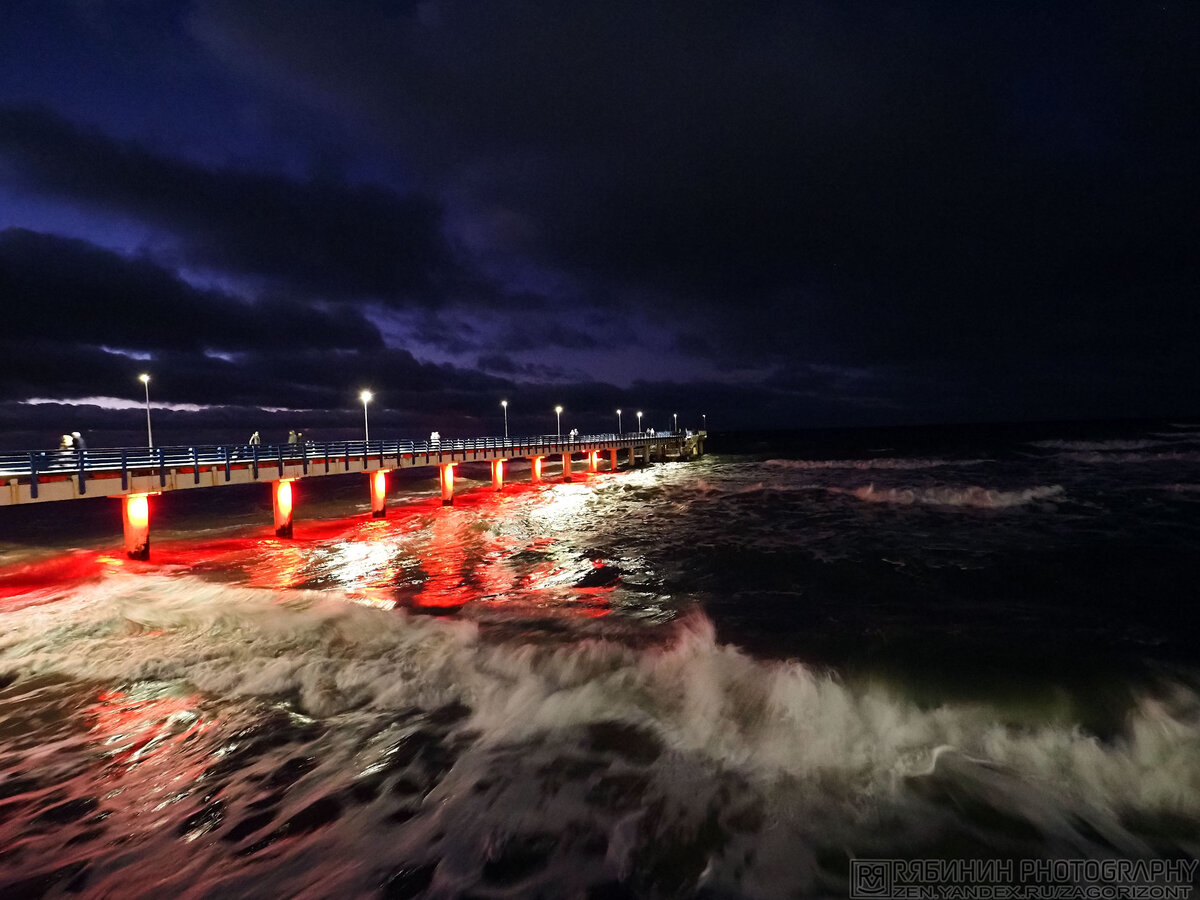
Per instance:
{"type": "Point", "coordinates": [325, 238]}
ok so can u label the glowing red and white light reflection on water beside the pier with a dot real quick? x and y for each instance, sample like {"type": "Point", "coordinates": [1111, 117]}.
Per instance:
{"type": "Point", "coordinates": [425, 556]}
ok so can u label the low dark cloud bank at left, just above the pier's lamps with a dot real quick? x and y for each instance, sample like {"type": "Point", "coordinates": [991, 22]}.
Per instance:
{"type": "Point", "coordinates": [82, 321]}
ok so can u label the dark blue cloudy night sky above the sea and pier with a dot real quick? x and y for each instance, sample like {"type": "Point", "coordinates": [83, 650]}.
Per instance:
{"type": "Point", "coordinates": [776, 214]}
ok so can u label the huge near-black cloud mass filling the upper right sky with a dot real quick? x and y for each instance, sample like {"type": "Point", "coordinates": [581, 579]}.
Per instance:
{"type": "Point", "coordinates": [853, 184]}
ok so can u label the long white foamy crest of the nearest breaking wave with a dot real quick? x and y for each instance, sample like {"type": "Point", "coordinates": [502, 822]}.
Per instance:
{"type": "Point", "coordinates": [697, 695]}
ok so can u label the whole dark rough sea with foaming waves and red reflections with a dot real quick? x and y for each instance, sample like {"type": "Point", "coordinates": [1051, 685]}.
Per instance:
{"type": "Point", "coordinates": [730, 677]}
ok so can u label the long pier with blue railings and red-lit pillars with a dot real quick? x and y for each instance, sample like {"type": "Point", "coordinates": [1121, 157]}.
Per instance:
{"type": "Point", "coordinates": [134, 475]}
